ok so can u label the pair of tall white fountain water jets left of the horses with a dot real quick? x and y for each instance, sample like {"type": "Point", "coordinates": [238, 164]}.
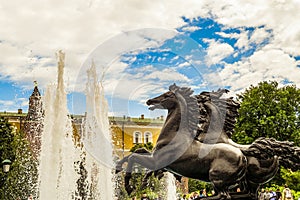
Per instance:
{"type": "Point", "coordinates": [59, 158]}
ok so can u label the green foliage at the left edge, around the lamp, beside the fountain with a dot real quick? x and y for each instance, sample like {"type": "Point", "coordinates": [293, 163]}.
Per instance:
{"type": "Point", "coordinates": [21, 180]}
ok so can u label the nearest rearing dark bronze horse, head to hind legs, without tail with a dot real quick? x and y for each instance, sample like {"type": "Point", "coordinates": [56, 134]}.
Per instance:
{"type": "Point", "coordinates": [177, 151]}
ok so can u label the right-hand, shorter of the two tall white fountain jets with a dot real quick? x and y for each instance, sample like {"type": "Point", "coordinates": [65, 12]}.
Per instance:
{"type": "Point", "coordinates": [97, 139]}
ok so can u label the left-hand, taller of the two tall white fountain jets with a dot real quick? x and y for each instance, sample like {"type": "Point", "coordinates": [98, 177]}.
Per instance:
{"type": "Point", "coordinates": [57, 177]}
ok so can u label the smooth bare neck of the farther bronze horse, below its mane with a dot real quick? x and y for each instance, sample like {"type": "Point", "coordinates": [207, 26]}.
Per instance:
{"type": "Point", "coordinates": [217, 120]}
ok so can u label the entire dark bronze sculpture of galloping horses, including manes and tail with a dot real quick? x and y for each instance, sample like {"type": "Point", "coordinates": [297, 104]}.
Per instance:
{"type": "Point", "coordinates": [195, 142]}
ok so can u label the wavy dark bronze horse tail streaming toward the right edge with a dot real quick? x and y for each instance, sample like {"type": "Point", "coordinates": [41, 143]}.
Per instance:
{"type": "Point", "coordinates": [266, 148]}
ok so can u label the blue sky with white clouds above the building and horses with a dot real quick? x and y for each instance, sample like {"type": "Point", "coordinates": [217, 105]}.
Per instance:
{"type": "Point", "coordinates": [139, 48]}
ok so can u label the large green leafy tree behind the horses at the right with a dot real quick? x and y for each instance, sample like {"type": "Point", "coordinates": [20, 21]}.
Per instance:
{"type": "Point", "coordinates": [268, 110]}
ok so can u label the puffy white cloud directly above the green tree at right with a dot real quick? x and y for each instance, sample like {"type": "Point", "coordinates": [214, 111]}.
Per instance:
{"type": "Point", "coordinates": [265, 64]}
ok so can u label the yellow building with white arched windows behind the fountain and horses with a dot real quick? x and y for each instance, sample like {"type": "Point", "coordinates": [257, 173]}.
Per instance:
{"type": "Point", "coordinates": [125, 132]}
